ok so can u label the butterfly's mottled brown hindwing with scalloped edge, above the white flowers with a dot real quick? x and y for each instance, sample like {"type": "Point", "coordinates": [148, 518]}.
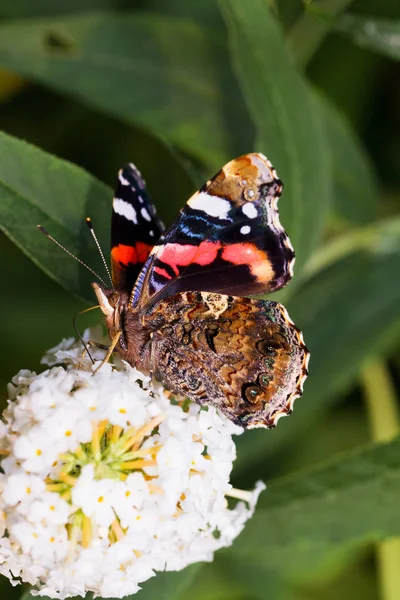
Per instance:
{"type": "Point", "coordinates": [244, 356]}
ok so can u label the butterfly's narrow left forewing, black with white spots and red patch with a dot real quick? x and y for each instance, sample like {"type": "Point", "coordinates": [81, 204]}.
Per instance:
{"type": "Point", "coordinates": [135, 228]}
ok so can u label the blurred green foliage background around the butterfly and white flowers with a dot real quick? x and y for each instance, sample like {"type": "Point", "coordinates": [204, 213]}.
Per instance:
{"type": "Point", "coordinates": [179, 88]}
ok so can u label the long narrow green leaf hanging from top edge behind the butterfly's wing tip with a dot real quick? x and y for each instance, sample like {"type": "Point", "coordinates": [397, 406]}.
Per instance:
{"type": "Point", "coordinates": [288, 125]}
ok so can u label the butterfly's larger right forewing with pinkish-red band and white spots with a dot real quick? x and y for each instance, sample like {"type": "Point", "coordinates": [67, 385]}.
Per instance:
{"type": "Point", "coordinates": [227, 238]}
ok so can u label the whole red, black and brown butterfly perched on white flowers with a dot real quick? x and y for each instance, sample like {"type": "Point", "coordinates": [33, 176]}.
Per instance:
{"type": "Point", "coordinates": [178, 308]}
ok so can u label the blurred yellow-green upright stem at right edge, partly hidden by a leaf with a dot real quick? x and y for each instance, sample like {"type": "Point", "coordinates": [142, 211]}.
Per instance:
{"type": "Point", "coordinates": [384, 420]}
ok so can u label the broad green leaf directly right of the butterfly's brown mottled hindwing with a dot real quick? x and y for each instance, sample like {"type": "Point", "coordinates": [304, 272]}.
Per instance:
{"type": "Point", "coordinates": [348, 310]}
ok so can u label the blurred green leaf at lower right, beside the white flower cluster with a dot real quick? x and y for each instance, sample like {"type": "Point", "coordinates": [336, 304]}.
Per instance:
{"type": "Point", "coordinates": [301, 520]}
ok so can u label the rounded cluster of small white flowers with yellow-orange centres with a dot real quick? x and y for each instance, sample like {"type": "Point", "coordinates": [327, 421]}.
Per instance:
{"type": "Point", "coordinates": [105, 481]}
